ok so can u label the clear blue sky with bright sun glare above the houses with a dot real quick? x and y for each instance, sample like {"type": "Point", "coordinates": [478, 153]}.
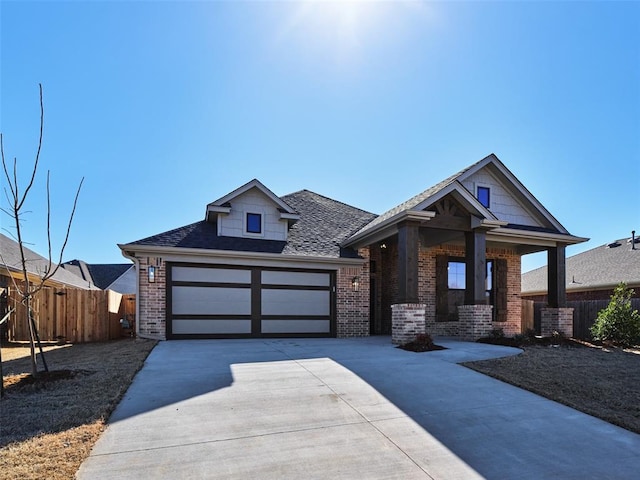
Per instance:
{"type": "Point", "coordinates": [164, 107]}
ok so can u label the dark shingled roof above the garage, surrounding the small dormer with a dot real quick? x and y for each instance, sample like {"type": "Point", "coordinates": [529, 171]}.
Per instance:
{"type": "Point", "coordinates": [322, 226]}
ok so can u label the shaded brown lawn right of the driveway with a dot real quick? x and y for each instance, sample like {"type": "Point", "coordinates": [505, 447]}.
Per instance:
{"type": "Point", "coordinates": [603, 382]}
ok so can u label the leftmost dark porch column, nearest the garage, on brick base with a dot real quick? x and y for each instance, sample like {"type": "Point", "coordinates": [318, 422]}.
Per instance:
{"type": "Point", "coordinates": [408, 262]}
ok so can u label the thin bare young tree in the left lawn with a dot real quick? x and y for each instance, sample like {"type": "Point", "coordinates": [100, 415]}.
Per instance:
{"type": "Point", "coordinates": [16, 198]}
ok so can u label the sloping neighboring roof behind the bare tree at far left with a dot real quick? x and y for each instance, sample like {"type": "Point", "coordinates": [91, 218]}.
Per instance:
{"type": "Point", "coordinates": [37, 265]}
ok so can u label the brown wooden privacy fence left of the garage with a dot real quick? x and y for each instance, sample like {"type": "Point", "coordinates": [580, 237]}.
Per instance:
{"type": "Point", "coordinates": [73, 315]}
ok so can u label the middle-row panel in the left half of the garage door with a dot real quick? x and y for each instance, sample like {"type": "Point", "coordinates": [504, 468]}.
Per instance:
{"type": "Point", "coordinates": [209, 301]}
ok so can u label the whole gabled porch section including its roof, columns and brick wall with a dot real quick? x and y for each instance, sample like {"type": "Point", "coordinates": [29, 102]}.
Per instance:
{"type": "Point", "coordinates": [448, 260]}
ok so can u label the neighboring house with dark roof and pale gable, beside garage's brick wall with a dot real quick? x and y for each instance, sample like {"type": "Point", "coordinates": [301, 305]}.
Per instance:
{"type": "Point", "coordinates": [119, 277]}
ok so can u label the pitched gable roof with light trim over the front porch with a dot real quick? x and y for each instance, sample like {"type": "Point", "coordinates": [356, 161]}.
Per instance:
{"type": "Point", "coordinates": [415, 207]}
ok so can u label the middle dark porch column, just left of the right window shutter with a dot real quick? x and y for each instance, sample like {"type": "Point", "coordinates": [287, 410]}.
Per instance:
{"type": "Point", "coordinates": [476, 267]}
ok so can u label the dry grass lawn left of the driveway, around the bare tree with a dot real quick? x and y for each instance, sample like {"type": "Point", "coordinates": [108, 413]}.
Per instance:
{"type": "Point", "coordinates": [48, 426]}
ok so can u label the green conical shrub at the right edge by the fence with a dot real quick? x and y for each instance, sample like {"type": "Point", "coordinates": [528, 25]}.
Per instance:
{"type": "Point", "coordinates": [618, 323]}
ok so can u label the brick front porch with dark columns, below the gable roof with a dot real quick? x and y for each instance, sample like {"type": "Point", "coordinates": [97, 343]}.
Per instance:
{"type": "Point", "coordinates": [455, 283]}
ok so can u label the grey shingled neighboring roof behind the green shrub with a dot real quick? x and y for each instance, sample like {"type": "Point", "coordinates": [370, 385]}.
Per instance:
{"type": "Point", "coordinates": [600, 268]}
